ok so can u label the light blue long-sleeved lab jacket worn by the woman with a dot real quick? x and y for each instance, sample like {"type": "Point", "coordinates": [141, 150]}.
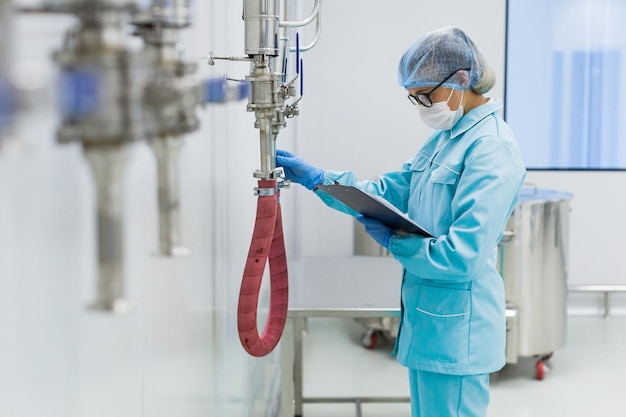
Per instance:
{"type": "Point", "coordinates": [462, 187]}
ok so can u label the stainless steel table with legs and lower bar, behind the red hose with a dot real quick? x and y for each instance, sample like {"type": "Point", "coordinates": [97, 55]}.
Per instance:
{"type": "Point", "coordinates": [309, 297]}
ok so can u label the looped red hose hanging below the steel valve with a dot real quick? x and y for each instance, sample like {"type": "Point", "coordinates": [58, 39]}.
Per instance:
{"type": "Point", "coordinates": [267, 241]}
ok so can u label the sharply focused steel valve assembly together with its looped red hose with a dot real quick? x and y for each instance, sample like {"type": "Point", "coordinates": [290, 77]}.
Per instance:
{"type": "Point", "coordinates": [270, 90]}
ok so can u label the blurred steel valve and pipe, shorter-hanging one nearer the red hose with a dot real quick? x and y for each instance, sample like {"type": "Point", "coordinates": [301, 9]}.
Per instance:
{"type": "Point", "coordinates": [170, 100]}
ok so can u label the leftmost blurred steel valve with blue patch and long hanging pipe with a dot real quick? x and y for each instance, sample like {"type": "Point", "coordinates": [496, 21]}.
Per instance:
{"type": "Point", "coordinates": [103, 78]}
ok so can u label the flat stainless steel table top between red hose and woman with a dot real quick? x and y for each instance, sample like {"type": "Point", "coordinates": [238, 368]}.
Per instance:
{"type": "Point", "coordinates": [350, 286]}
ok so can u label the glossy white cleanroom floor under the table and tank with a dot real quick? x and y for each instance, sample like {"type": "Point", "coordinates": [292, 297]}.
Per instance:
{"type": "Point", "coordinates": [586, 378]}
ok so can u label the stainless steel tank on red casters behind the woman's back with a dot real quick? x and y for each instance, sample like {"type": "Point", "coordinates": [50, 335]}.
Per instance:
{"type": "Point", "coordinates": [533, 261]}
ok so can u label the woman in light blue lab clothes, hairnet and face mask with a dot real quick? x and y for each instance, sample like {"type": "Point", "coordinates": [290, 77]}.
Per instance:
{"type": "Point", "coordinates": [461, 186]}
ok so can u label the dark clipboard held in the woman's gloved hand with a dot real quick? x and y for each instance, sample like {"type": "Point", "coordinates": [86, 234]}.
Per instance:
{"type": "Point", "coordinates": [369, 206]}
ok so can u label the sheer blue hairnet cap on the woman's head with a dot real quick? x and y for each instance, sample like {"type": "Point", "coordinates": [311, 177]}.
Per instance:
{"type": "Point", "coordinates": [437, 55]}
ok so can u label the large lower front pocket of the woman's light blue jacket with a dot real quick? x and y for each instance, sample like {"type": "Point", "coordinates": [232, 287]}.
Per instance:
{"type": "Point", "coordinates": [441, 328]}
